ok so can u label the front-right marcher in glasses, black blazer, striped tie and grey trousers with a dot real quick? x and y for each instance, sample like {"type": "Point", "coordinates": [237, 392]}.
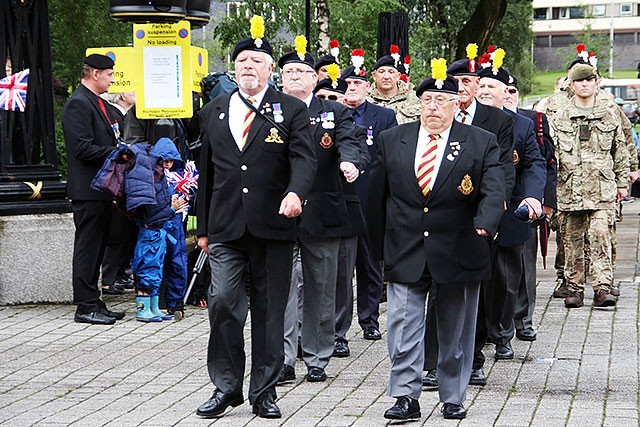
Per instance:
{"type": "Point", "coordinates": [437, 197]}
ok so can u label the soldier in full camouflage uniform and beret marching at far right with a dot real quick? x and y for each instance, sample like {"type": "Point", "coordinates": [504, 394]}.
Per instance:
{"type": "Point", "coordinates": [593, 170]}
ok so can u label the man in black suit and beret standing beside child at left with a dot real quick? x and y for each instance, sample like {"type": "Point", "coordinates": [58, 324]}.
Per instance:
{"type": "Point", "coordinates": [91, 128]}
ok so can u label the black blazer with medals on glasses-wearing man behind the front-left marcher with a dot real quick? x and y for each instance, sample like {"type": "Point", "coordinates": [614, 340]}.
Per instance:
{"type": "Point", "coordinates": [333, 134]}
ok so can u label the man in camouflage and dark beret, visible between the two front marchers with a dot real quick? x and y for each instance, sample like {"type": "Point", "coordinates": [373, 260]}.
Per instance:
{"type": "Point", "coordinates": [390, 91]}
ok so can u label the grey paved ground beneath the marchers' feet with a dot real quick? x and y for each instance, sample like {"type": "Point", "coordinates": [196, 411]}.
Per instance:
{"type": "Point", "coordinates": [581, 371]}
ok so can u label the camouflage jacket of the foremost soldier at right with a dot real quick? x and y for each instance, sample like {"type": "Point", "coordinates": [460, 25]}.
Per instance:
{"type": "Point", "coordinates": [593, 158]}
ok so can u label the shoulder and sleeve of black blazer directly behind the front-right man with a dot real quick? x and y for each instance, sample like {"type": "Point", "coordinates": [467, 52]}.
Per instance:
{"type": "Point", "coordinates": [500, 124]}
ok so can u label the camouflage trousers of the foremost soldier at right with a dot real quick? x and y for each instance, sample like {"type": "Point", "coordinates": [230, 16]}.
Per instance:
{"type": "Point", "coordinates": [587, 240]}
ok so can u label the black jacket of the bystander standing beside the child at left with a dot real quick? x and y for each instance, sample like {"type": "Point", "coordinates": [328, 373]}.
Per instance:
{"type": "Point", "coordinates": [89, 138]}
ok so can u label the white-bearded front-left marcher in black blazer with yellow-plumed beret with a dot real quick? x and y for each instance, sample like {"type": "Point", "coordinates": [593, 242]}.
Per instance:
{"type": "Point", "coordinates": [256, 167]}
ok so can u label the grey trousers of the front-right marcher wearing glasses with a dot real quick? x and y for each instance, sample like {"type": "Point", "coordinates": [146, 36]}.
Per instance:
{"type": "Point", "coordinates": [455, 317]}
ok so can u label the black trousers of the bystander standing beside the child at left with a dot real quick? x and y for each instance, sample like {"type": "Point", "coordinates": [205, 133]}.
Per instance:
{"type": "Point", "coordinates": [91, 219]}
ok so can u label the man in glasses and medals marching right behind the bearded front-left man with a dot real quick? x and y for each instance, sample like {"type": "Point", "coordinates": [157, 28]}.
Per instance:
{"type": "Point", "coordinates": [324, 220]}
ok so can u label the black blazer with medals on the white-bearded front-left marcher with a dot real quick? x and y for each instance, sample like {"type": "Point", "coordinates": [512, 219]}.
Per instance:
{"type": "Point", "coordinates": [243, 190]}
